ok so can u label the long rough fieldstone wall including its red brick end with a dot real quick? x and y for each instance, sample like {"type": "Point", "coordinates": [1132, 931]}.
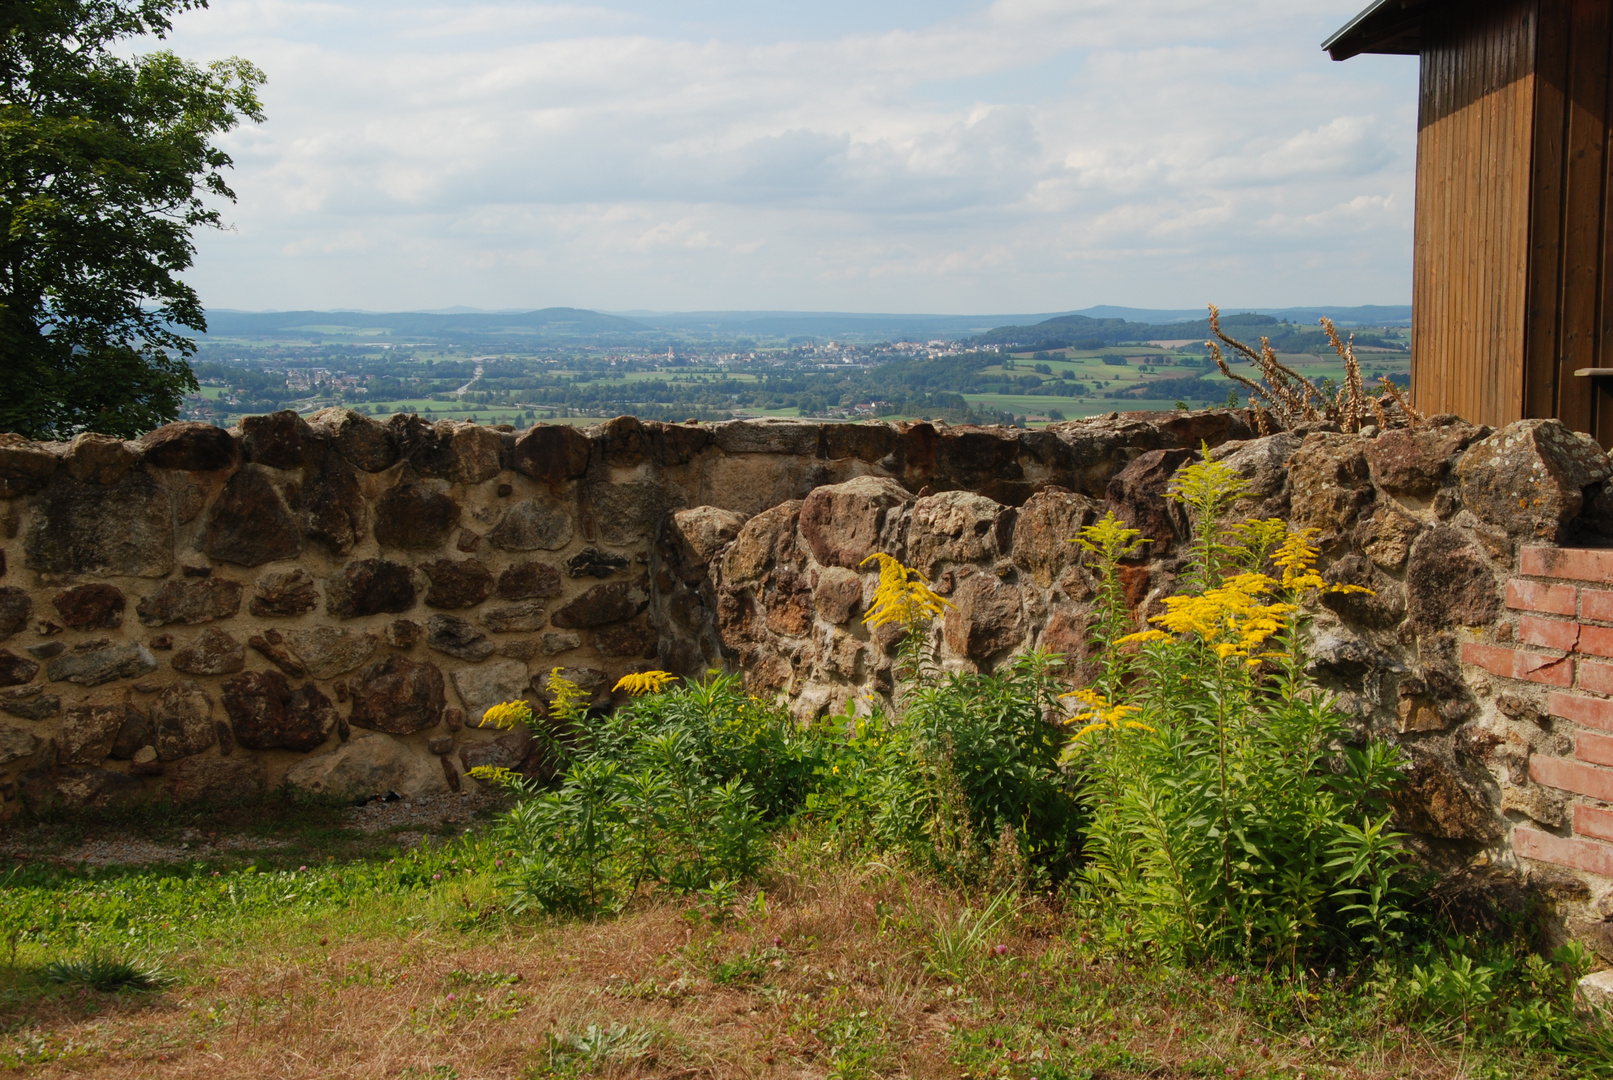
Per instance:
{"type": "Point", "coordinates": [331, 602]}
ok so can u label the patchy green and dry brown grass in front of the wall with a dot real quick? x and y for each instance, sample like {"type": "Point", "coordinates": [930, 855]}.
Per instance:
{"type": "Point", "coordinates": [335, 957]}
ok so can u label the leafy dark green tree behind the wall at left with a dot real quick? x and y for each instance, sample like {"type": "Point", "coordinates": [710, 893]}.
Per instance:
{"type": "Point", "coordinates": [107, 167]}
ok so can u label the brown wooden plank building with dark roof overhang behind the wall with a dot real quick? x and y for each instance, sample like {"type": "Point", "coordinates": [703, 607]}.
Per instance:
{"type": "Point", "coordinates": [1512, 280]}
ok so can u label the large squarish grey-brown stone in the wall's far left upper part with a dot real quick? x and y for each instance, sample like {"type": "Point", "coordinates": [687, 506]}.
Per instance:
{"type": "Point", "coordinates": [122, 531]}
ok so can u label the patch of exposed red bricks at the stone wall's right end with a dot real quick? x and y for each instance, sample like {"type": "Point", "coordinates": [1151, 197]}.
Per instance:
{"type": "Point", "coordinates": [1565, 642]}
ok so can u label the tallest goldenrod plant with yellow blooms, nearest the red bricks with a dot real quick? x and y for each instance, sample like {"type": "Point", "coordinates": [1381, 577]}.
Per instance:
{"type": "Point", "coordinates": [1228, 812]}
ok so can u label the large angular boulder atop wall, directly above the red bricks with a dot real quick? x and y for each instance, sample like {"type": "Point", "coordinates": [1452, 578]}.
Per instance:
{"type": "Point", "coordinates": [1530, 478]}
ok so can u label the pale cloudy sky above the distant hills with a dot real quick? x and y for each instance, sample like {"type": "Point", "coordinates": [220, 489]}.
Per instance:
{"type": "Point", "coordinates": [852, 156]}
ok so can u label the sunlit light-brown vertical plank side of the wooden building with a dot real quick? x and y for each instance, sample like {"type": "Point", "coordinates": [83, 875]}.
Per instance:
{"type": "Point", "coordinates": [1473, 212]}
